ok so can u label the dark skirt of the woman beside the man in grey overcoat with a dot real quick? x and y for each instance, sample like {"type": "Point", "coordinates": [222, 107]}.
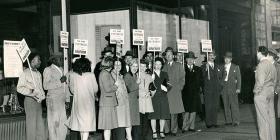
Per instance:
{"type": "Point", "coordinates": [161, 106]}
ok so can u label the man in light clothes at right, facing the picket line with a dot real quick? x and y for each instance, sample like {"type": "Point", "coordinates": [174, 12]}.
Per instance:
{"type": "Point", "coordinates": [264, 89]}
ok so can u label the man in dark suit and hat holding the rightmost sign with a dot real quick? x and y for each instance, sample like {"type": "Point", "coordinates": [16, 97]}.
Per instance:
{"type": "Point", "coordinates": [212, 88]}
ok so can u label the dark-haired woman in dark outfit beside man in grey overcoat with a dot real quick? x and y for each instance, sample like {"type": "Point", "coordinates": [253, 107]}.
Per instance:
{"type": "Point", "coordinates": [159, 98]}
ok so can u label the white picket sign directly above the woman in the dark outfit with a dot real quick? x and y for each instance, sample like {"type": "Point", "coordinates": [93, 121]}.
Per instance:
{"type": "Point", "coordinates": [154, 44]}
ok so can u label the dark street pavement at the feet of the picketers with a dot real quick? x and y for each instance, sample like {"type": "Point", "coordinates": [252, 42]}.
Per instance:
{"type": "Point", "coordinates": [247, 130]}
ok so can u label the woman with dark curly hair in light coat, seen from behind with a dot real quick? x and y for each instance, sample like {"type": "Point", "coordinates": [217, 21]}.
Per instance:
{"type": "Point", "coordinates": [83, 85]}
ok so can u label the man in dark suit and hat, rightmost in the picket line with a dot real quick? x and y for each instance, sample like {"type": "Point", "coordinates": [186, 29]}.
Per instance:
{"type": "Point", "coordinates": [231, 87]}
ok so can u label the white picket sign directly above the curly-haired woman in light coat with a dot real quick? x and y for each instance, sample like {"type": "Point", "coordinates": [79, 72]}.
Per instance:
{"type": "Point", "coordinates": [80, 46]}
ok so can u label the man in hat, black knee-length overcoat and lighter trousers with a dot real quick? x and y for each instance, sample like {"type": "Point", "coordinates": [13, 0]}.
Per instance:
{"type": "Point", "coordinates": [191, 92]}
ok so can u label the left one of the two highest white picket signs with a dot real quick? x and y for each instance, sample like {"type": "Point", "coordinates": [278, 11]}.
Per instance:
{"type": "Point", "coordinates": [116, 35]}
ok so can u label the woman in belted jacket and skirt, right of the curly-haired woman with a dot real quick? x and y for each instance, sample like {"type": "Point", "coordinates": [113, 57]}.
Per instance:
{"type": "Point", "coordinates": [107, 119]}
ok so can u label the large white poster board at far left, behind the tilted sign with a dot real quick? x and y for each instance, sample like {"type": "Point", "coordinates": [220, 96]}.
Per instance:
{"type": "Point", "coordinates": [12, 62]}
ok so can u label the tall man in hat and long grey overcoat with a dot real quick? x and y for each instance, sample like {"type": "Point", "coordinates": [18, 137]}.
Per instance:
{"type": "Point", "coordinates": [176, 76]}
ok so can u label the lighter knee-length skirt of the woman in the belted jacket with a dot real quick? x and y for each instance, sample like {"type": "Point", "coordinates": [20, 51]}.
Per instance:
{"type": "Point", "coordinates": [107, 118]}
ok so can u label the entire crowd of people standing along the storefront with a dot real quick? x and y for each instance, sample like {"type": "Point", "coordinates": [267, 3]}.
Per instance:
{"type": "Point", "coordinates": [136, 96]}
